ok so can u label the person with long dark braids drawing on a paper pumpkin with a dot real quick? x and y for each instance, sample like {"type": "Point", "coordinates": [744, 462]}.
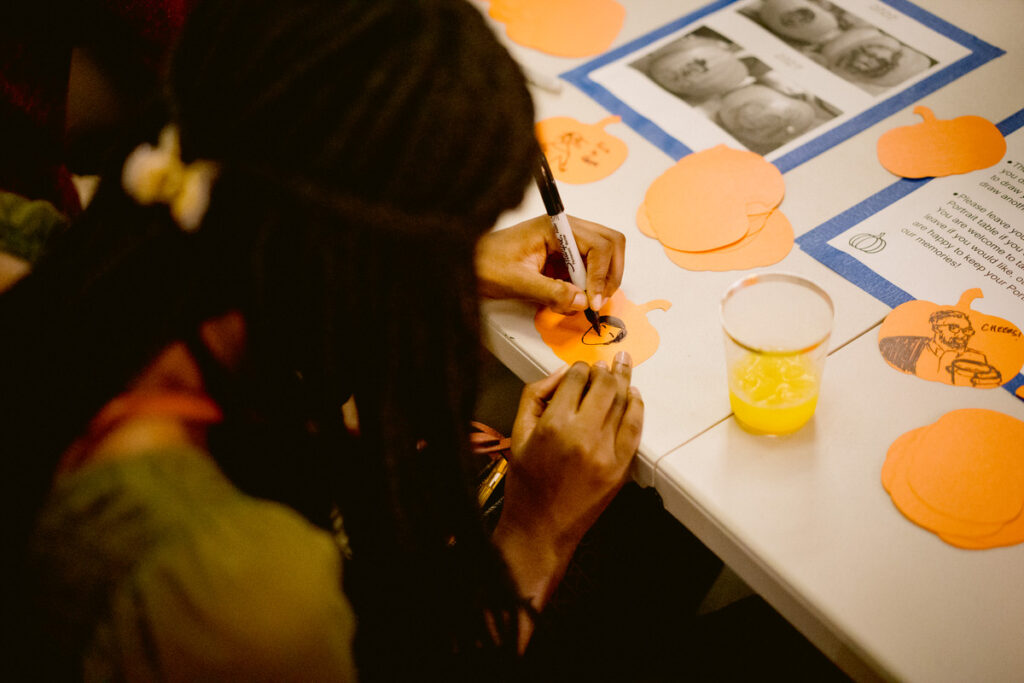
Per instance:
{"type": "Point", "coordinates": [271, 309]}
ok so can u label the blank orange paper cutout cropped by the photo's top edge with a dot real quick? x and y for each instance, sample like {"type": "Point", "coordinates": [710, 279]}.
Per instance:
{"type": "Point", "coordinates": [563, 28]}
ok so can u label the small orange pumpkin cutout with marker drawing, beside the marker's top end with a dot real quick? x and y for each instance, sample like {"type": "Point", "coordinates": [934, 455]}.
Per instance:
{"type": "Point", "coordinates": [578, 152]}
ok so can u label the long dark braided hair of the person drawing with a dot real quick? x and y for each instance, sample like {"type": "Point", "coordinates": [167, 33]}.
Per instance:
{"type": "Point", "coordinates": [365, 147]}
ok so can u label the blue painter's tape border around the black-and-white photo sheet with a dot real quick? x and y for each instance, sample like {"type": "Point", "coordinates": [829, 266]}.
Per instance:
{"type": "Point", "coordinates": [980, 54]}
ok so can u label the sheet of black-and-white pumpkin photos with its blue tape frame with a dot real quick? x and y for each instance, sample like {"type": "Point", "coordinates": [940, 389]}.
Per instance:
{"type": "Point", "coordinates": [787, 79]}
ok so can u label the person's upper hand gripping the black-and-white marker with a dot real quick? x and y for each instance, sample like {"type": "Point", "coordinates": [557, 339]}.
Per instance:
{"type": "Point", "coordinates": [526, 263]}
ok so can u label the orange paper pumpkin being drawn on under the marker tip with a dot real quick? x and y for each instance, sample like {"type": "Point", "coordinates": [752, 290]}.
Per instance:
{"type": "Point", "coordinates": [625, 328]}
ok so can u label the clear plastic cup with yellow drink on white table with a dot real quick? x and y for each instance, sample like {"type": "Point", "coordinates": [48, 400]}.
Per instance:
{"type": "Point", "coordinates": [777, 329]}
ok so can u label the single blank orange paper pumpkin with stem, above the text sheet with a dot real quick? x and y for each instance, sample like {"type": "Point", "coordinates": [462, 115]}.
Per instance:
{"type": "Point", "coordinates": [936, 148]}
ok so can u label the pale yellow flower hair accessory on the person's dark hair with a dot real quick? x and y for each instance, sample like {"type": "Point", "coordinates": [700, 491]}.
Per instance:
{"type": "Point", "coordinates": [153, 176]}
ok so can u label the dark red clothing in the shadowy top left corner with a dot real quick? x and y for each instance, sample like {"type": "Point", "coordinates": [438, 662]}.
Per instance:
{"type": "Point", "coordinates": [131, 38]}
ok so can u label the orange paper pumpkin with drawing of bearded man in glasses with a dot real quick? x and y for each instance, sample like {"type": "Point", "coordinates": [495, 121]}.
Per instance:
{"type": "Point", "coordinates": [952, 345]}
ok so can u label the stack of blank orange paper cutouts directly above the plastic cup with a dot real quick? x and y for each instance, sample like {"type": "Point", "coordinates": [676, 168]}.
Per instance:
{"type": "Point", "coordinates": [718, 210]}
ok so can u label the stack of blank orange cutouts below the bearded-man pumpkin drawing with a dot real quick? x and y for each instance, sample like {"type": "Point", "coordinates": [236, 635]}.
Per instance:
{"type": "Point", "coordinates": [962, 479]}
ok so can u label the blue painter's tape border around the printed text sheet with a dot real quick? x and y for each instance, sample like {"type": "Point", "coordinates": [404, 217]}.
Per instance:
{"type": "Point", "coordinates": [816, 242]}
